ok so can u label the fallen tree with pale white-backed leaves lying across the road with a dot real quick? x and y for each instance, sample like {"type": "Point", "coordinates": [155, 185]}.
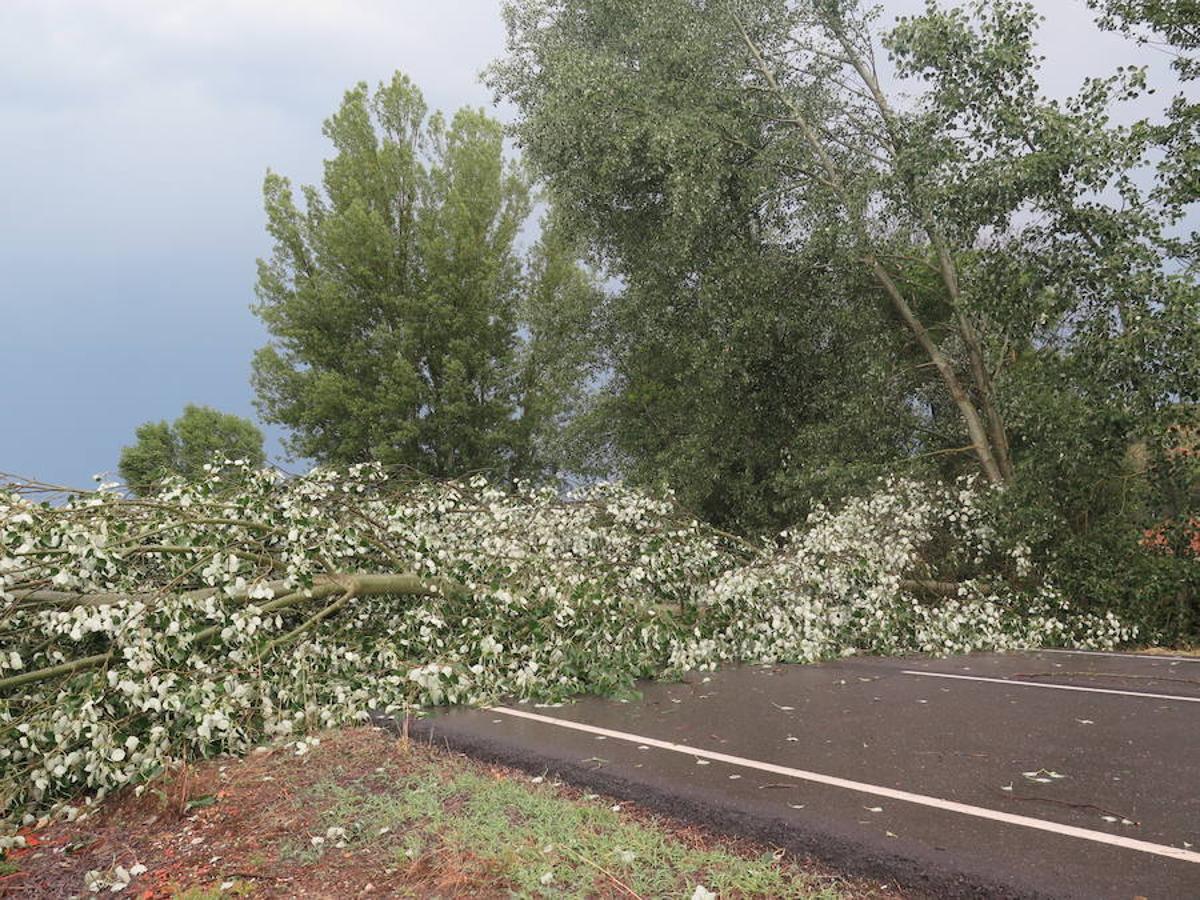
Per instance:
{"type": "Point", "coordinates": [212, 617]}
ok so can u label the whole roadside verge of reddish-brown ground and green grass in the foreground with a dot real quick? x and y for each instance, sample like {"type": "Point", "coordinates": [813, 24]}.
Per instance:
{"type": "Point", "coordinates": [367, 815]}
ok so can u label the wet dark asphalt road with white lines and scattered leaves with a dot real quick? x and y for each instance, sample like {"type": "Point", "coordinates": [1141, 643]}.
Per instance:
{"type": "Point", "coordinates": [1025, 775]}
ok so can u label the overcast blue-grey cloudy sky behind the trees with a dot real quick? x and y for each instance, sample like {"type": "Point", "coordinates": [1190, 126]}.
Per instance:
{"type": "Point", "coordinates": [134, 140]}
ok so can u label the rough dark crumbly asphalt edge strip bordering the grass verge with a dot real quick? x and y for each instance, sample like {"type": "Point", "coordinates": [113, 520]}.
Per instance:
{"type": "Point", "coordinates": [922, 875]}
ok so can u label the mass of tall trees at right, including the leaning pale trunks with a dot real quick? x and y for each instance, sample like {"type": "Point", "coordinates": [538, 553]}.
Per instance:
{"type": "Point", "coordinates": [986, 274]}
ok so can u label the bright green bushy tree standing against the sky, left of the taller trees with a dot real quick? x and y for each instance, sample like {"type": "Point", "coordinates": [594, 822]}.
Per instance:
{"type": "Point", "coordinates": [399, 303]}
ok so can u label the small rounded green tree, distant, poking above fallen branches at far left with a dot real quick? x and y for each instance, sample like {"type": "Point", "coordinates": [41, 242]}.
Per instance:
{"type": "Point", "coordinates": [187, 446]}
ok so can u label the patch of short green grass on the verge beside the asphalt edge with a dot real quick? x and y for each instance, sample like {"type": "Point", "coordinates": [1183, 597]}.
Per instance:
{"type": "Point", "coordinates": [537, 839]}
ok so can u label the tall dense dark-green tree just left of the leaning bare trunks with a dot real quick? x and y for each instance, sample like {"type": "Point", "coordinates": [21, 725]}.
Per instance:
{"type": "Point", "coordinates": [724, 345]}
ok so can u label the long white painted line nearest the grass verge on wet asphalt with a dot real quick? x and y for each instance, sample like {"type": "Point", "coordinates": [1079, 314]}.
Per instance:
{"type": "Point", "coordinates": [1115, 841]}
